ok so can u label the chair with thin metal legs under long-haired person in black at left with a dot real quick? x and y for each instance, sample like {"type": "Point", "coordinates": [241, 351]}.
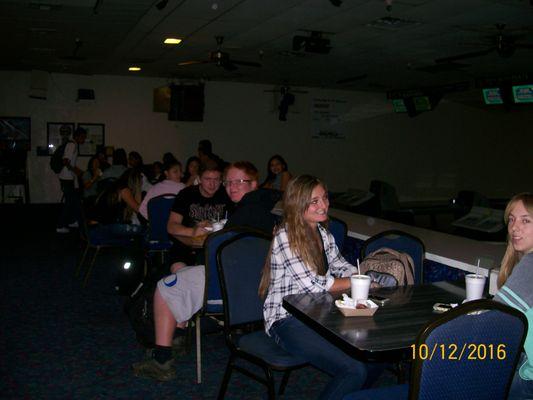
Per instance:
{"type": "Point", "coordinates": [97, 244]}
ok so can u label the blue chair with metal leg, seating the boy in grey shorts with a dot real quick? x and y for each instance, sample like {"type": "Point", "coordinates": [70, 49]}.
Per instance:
{"type": "Point", "coordinates": [212, 294]}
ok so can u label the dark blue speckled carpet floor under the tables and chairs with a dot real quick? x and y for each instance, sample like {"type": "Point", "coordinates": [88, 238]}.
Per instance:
{"type": "Point", "coordinates": [59, 340]}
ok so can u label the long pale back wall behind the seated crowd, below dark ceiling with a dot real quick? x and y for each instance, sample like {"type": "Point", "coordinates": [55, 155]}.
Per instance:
{"type": "Point", "coordinates": [431, 156]}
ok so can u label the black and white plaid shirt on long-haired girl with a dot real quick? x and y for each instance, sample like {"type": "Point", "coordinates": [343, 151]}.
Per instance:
{"type": "Point", "coordinates": [290, 275]}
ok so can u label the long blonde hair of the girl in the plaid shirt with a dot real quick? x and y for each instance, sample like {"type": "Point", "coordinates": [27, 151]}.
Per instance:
{"type": "Point", "coordinates": [303, 240]}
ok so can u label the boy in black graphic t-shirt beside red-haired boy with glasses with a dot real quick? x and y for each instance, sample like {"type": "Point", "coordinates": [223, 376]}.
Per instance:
{"type": "Point", "coordinates": [193, 209]}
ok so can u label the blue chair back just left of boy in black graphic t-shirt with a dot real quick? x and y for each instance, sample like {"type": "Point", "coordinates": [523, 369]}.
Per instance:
{"type": "Point", "coordinates": [157, 240]}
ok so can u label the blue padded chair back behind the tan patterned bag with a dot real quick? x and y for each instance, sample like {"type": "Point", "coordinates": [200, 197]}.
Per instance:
{"type": "Point", "coordinates": [400, 241]}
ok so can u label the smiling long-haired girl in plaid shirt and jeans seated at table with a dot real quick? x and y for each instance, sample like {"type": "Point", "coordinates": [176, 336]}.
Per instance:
{"type": "Point", "coordinates": [305, 259]}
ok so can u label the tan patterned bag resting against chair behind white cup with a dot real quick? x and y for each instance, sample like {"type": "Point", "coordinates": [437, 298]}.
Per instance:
{"type": "Point", "coordinates": [389, 268]}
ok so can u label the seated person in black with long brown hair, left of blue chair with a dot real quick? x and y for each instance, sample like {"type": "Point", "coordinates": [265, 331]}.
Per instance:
{"type": "Point", "coordinates": [113, 214]}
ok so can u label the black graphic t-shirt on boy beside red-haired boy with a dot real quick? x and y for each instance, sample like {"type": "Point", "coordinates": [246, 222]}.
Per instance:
{"type": "Point", "coordinates": [194, 207]}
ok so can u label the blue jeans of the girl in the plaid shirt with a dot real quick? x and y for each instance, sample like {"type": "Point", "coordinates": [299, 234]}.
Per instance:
{"type": "Point", "coordinates": [348, 374]}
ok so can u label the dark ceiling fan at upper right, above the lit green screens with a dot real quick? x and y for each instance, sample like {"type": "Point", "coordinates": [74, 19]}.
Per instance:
{"type": "Point", "coordinates": [502, 43]}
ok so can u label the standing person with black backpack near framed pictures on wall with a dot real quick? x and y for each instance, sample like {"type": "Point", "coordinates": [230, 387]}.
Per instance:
{"type": "Point", "coordinates": [68, 178]}
